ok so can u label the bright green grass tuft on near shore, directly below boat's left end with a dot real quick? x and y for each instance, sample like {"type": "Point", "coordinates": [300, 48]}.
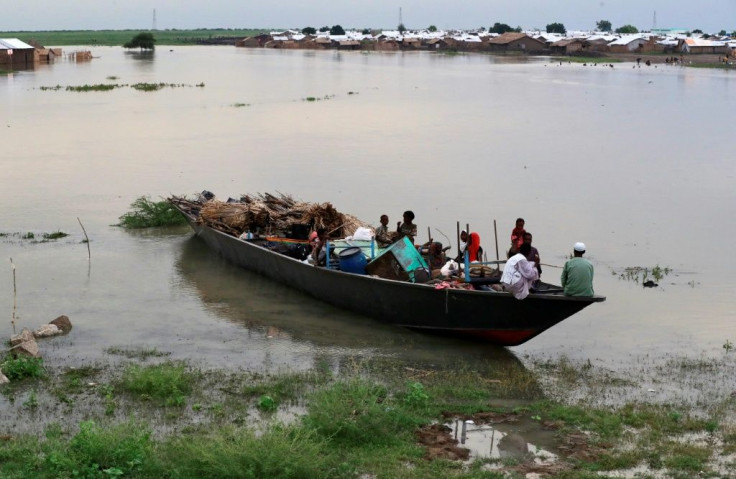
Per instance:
{"type": "Point", "coordinates": [169, 382]}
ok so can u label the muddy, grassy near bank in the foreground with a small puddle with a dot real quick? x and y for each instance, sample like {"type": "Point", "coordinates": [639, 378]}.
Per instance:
{"type": "Point", "coordinates": [150, 417]}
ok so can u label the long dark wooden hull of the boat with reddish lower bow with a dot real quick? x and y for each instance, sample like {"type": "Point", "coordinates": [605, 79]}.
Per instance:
{"type": "Point", "coordinates": [494, 317]}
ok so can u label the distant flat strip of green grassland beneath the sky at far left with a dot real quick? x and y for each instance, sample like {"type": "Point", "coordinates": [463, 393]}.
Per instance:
{"type": "Point", "coordinates": [119, 37]}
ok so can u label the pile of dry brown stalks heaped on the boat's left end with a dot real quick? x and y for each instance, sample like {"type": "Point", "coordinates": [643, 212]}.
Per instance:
{"type": "Point", "coordinates": [273, 214]}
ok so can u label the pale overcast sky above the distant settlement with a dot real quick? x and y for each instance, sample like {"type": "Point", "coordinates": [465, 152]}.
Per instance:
{"type": "Point", "coordinates": [710, 16]}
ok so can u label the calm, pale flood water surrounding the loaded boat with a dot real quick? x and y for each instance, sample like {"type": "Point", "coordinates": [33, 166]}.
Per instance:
{"type": "Point", "coordinates": [638, 163]}
